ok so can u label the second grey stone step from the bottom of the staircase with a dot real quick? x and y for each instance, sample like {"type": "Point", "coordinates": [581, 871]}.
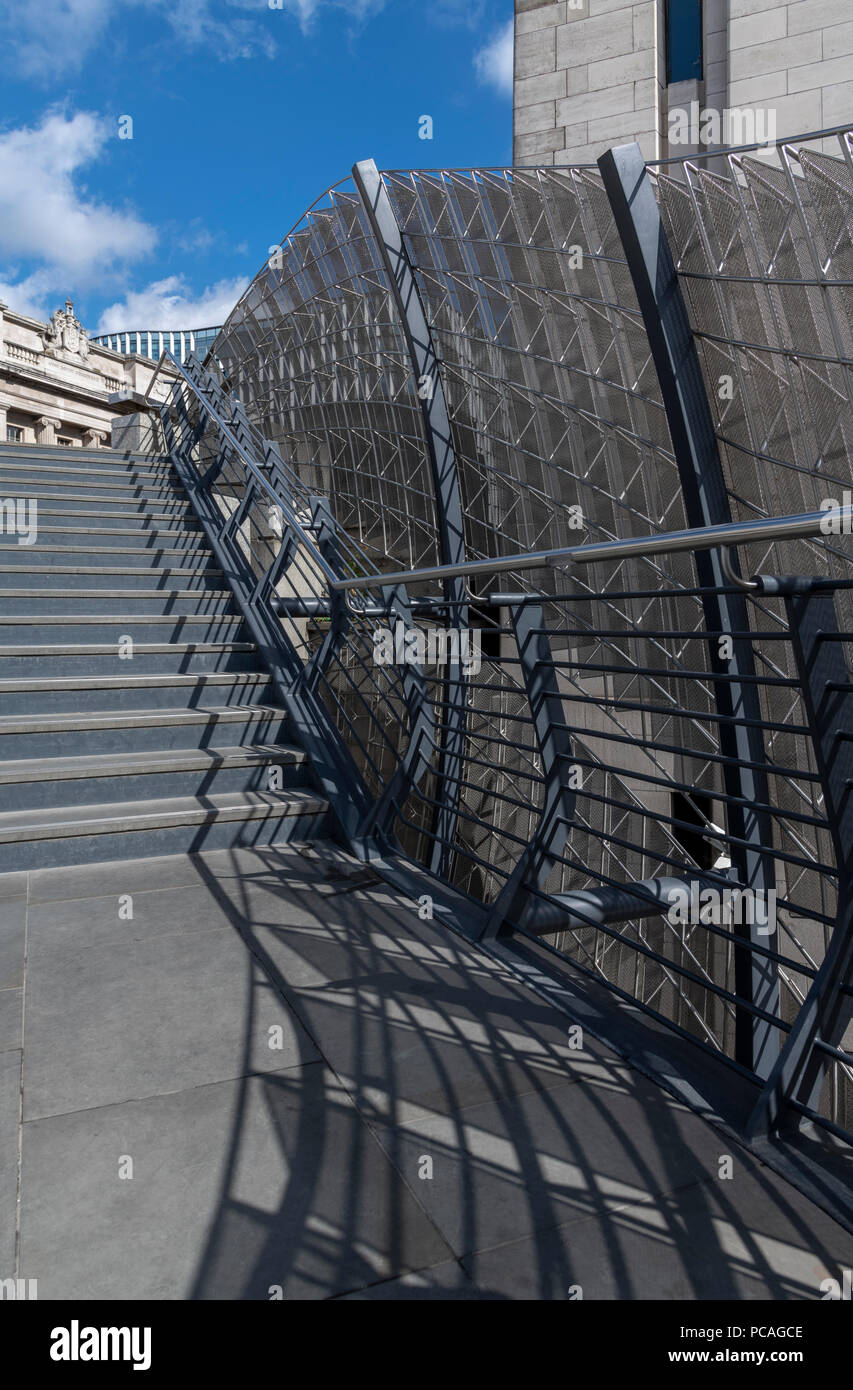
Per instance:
{"type": "Point", "coordinates": [30, 785]}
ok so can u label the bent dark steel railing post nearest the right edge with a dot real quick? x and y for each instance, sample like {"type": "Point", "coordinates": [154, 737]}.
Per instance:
{"type": "Point", "coordinates": [826, 1011]}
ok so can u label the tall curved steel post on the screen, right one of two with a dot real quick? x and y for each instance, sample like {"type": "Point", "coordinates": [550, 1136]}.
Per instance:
{"type": "Point", "coordinates": [691, 423]}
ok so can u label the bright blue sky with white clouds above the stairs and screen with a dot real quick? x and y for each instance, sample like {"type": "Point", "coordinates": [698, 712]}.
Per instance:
{"type": "Point", "coordinates": [242, 113]}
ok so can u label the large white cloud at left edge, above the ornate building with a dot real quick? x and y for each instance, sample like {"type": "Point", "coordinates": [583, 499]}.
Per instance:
{"type": "Point", "coordinates": [44, 216]}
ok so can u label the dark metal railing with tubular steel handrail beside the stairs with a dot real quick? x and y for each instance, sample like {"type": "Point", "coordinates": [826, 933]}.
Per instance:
{"type": "Point", "coordinates": [609, 796]}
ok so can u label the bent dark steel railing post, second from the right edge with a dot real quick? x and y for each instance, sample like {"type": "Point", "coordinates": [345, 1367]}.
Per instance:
{"type": "Point", "coordinates": [554, 740]}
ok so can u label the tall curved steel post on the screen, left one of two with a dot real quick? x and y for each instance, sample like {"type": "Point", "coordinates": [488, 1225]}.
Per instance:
{"type": "Point", "coordinates": [447, 489]}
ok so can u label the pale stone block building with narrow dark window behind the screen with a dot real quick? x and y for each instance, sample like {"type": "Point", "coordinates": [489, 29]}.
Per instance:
{"type": "Point", "coordinates": [598, 73]}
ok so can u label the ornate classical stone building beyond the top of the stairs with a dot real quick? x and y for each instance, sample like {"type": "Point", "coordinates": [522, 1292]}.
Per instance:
{"type": "Point", "coordinates": [58, 387]}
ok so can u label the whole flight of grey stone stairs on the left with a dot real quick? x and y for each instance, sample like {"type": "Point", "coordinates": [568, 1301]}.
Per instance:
{"type": "Point", "coordinates": [109, 758]}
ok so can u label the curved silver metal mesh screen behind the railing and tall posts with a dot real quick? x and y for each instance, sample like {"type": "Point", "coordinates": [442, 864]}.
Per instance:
{"type": "Point", "coordinates": [559, 434]}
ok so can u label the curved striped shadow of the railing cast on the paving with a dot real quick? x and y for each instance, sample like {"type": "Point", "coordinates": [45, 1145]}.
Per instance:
{"type": "Point", "coordinates": [577, 1170]}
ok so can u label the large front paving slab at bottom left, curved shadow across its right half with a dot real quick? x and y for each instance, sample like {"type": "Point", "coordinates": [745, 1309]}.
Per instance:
{"type": "Point", "coordinates": [238, 1189]}
